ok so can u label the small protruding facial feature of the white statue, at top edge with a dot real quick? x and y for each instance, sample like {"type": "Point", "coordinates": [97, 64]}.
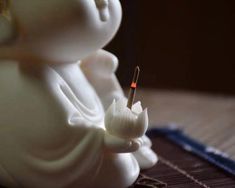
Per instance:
{"type": "Point", "coordinates": [102, 6]}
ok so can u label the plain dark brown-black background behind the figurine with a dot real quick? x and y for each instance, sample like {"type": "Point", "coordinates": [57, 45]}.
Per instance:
{"type": "Point", "coordinates": [183, 44]}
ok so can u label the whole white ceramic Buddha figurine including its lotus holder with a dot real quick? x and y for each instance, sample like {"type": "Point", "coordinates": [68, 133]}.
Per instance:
{"type": "Point", "coordinates": [63, 116]}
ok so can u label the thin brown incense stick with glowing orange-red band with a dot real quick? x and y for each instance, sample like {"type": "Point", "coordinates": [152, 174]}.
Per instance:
{"type": "Point", "coordinates": [133, 87]}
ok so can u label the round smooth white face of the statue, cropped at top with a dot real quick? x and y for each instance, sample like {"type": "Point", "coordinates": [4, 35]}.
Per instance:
{"type": "Point", "coordinates": [66, 30]}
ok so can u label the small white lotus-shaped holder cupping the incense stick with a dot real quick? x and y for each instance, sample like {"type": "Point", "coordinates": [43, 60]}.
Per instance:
{"type": "Point", "coordinates": [125, 123]}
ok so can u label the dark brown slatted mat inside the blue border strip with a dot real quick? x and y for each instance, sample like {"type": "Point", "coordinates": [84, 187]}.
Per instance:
{"type": "Point", "coordinates": [180, 169]}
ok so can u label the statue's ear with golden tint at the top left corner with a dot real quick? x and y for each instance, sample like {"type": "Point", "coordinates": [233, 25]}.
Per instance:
{"type": "Point", "coordinates": [7, 24]}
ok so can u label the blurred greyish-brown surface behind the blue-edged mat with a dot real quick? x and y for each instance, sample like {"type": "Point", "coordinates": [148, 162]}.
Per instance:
{"type": "Point", "coordinates": [207, 118]}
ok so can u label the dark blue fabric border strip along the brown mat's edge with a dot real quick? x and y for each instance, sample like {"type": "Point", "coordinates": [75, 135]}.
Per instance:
{"type": "Point", "coordinates": [208, 153]}
